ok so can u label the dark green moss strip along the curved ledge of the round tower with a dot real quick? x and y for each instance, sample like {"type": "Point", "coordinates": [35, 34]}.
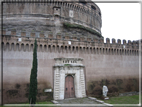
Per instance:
{"type": "Point", "coordinates": [69, 25]}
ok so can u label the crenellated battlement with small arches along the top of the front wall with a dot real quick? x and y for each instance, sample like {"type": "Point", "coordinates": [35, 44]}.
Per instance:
{"type": "Point", "coordinates": [46, 42]}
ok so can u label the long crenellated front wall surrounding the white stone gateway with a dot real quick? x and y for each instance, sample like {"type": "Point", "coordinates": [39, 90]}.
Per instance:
{"type": "Point", "coordinates": [114, 63]}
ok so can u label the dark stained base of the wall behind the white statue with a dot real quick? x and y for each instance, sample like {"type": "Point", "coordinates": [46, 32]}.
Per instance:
{"type": "Point", "coordinates": [114, 87]}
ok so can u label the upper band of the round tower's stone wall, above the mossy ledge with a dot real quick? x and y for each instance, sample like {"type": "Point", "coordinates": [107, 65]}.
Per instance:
{"type": "Point", "coordinates": [82, 14]}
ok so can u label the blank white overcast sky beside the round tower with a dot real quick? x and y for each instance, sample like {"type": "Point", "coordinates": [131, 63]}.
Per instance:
{"type": "Point", "coordinates": [121, 20]}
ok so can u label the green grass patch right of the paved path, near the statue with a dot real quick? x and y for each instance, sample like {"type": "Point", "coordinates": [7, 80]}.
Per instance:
{"type": "Point", "coordinates": [134, 99]}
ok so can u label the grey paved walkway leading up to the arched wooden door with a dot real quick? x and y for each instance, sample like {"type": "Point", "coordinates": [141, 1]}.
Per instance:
{"type": "Point", "coordinates": [78, 101]}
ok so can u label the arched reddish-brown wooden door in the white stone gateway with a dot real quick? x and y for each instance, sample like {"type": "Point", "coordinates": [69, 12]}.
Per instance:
{"type": "Point", "coordinates": [69, 87]}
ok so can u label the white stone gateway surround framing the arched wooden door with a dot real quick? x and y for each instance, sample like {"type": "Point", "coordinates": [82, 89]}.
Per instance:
{"type": "Point", "coordinates": [64, 67]}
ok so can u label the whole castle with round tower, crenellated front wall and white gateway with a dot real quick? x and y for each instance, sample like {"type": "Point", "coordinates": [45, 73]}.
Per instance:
{"type": "Point", "coordinates": [73, 60]}
